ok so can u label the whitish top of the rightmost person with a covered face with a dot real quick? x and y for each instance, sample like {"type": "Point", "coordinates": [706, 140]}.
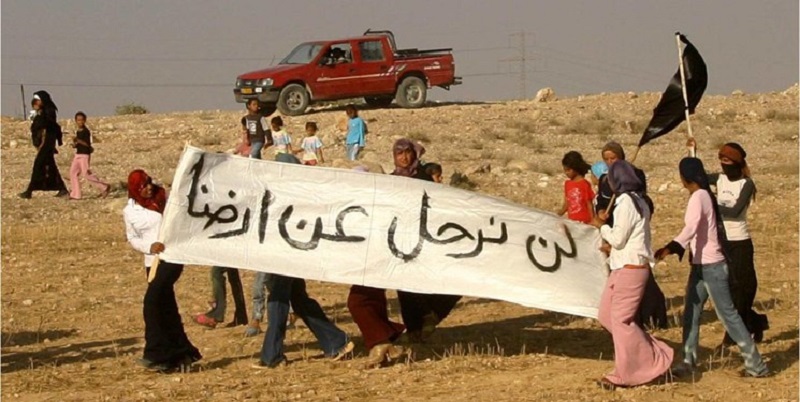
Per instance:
{"type": "Point", "coordinates": [734, 198]}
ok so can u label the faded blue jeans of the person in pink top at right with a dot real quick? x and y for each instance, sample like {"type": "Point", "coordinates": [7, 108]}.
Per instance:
{"type": "Point", "coordinates": [712, 280]}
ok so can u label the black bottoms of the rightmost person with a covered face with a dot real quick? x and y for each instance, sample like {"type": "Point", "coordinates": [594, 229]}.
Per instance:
{"type": "Point", "coordinates": [744, 284]}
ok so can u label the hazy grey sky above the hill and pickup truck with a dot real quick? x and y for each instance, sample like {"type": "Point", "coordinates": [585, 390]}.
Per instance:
{"type": "Point", "coordinates": [180, 55]}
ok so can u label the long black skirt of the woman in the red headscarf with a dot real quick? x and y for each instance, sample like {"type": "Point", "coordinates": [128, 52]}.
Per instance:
{"type": "Point", "coordinates": [165, 340]}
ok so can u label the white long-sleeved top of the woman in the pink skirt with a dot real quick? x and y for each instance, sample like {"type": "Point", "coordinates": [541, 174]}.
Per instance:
{"type": "Point", "coordinates": [630, 236]}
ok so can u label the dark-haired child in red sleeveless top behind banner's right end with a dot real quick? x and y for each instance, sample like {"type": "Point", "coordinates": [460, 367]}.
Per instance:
{"type": "Point", "coordinates": [578, 193]}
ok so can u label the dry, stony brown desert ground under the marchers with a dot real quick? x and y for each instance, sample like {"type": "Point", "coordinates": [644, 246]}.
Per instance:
{"type": "Point", "coordinates": [72, 288]}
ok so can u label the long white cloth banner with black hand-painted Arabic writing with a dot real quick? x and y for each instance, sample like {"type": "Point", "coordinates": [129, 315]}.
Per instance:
{"type": "Point", "coordinates": [383, 231]}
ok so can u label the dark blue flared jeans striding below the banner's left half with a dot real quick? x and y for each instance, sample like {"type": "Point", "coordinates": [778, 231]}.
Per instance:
{"type": "Point", "coordinates": [284, 290]}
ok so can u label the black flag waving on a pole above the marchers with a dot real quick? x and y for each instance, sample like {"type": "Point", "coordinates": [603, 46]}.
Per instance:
{"type": "Point", "coordinates": [670, 109]}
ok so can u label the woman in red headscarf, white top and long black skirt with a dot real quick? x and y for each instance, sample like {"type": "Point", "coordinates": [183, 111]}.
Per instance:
{"type": "Point", "coordinates": [166, 345]}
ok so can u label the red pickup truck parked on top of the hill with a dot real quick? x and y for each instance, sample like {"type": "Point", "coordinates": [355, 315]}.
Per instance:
{"type": "Point", "coordinates": [368, 66]}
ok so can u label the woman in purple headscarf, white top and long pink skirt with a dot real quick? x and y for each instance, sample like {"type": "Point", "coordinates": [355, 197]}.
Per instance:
{"type": "Point", "coordinates": [639, 358]}
